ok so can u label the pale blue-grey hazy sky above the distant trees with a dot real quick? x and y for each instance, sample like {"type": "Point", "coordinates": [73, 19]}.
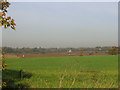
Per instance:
{"type": "Point", "coordinates": [62, 24]}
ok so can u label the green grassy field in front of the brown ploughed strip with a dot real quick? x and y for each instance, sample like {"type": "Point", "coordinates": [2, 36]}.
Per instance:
{"type": "Point", "coordinates": [63, 72]}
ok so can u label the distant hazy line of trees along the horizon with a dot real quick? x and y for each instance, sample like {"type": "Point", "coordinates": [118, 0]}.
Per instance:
{"type": "Point", "coordinates": [10, 50]}
